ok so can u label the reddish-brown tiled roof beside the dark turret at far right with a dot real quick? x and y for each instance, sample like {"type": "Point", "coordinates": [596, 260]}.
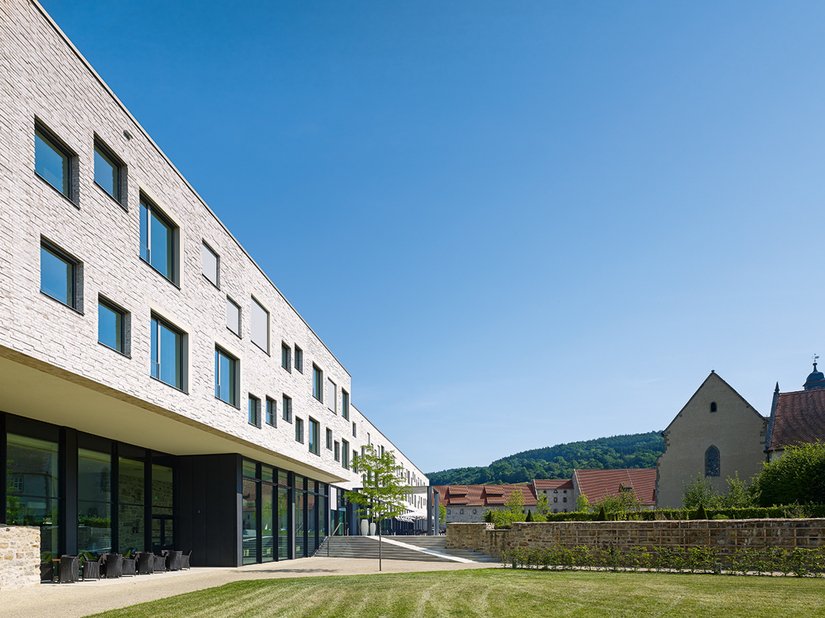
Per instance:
{"type": "Point", "coordinates": [797, 418]}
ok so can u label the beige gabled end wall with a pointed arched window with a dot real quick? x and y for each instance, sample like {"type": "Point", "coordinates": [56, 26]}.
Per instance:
{"type": "Point", "coordinates": [716, 435]}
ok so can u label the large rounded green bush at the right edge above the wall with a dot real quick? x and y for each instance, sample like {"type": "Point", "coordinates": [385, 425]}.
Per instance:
{"type": "Point", "coordinates": [797, 476]}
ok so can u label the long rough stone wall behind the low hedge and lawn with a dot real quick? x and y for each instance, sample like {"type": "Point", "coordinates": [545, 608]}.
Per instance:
{"type": "Point", "coordinates": [727, 534]}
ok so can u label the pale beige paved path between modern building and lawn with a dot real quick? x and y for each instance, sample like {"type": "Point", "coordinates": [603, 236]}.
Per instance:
{"type": "Point", "coordinates": [84, 598]}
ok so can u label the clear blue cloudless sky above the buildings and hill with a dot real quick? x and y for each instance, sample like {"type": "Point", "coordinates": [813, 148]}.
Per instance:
{"type": "Point", "coordinates": [515, 223]}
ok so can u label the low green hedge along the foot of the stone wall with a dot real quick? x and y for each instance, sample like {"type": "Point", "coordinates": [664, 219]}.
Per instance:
{"type": "Point", "coordinates": [705, 559]}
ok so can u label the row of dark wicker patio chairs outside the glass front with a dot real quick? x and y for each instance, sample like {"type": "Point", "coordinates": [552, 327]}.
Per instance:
{"type": "Point", "coordinates": [70, 569]}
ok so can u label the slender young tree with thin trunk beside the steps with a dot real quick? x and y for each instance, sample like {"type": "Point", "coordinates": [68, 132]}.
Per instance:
{"type": "Point", "coordinates": [382, 495]}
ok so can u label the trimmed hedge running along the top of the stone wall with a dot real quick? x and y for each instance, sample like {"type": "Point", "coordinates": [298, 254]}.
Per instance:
{"type": "Point", "coordinates": [771, 512]}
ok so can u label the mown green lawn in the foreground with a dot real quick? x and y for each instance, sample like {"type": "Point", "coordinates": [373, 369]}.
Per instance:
{"type": "Point", "coordinates": [500, 593]}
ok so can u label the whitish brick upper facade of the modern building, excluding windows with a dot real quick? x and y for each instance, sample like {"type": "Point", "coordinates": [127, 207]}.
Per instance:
{"type": "Point", "coordinates": [42, 76]}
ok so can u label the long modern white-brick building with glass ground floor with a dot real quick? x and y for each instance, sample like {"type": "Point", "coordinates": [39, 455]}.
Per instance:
{"type": "Point", "coordinates": [156, 389]}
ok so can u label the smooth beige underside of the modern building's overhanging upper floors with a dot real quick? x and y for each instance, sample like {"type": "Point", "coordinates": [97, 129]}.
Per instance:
{"type": "Point", "coordinates": [34, 389]}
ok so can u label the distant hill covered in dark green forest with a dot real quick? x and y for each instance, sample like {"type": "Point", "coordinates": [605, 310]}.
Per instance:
{"type": "Point", "coordinates": [638, 450]}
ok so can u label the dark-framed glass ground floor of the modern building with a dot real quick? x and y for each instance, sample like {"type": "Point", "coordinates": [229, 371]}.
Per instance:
{"type": "Point", "coordinates": [87, 493]}
